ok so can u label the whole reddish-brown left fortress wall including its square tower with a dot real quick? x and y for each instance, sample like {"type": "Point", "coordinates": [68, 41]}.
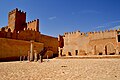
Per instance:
{"type": "Point", "coordinates": [21, 33]}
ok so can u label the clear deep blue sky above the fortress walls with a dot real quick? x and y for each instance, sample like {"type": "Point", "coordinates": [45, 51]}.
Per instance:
{"type": "Point", "coordinates": [59, 16]}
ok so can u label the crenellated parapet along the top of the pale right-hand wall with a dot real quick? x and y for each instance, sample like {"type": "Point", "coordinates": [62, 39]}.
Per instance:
{"type": "Point", "coordinates": [93, 35]}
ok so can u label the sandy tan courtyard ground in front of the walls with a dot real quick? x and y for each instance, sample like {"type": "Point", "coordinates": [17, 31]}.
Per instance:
{"type": "Point", "coordinates": [62, 69]}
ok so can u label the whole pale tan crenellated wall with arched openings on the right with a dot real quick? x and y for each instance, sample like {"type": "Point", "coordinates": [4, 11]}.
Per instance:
{"type": "Point", "coordinates": [90, 43]}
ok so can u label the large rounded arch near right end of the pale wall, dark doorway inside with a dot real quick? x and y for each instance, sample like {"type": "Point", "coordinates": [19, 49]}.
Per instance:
{"type": "Point", "coordinates": [109, 49]}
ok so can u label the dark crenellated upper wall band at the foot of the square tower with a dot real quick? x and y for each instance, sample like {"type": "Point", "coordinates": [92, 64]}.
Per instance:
{"type": "Point", "coordinates": [26, 34]}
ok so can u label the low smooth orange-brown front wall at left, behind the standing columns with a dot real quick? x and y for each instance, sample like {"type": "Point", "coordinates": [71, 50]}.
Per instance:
{"type": "Point", "coordinates": [11, 49]}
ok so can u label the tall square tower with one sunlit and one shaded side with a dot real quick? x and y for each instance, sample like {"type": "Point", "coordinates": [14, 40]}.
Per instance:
{"type": "Point", "coordinates": [17, 20]}
